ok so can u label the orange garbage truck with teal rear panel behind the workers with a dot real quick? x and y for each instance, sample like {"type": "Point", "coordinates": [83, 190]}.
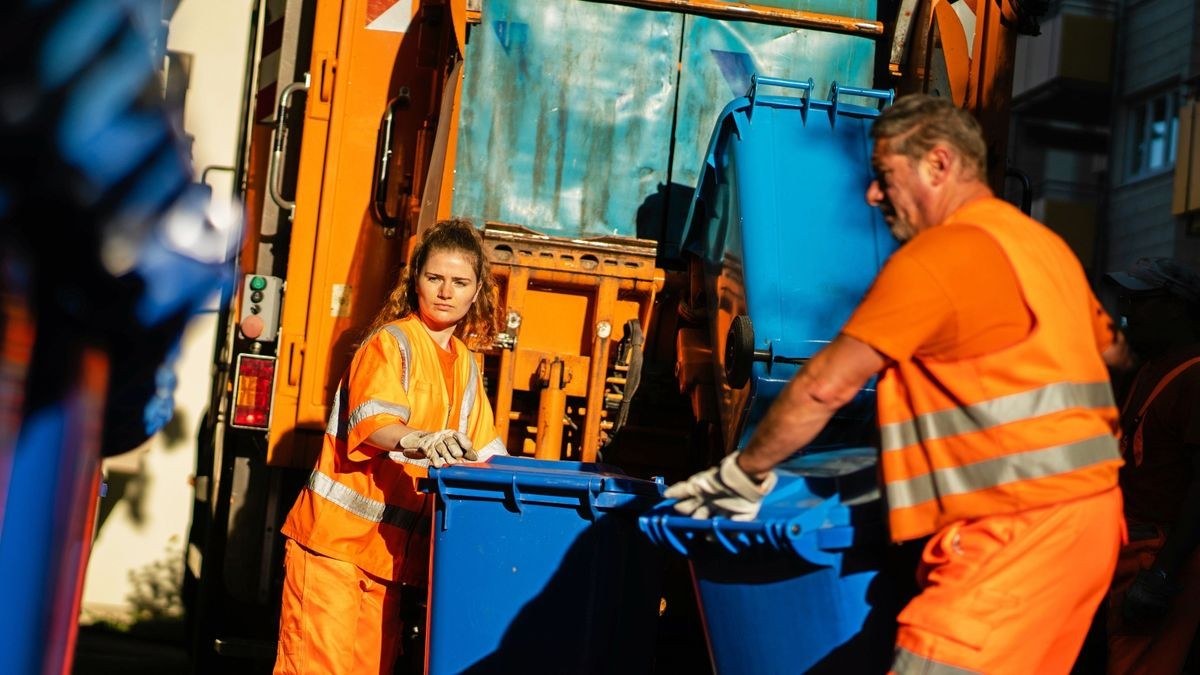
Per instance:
{"type": "Point", "coordinates": [574, 134]}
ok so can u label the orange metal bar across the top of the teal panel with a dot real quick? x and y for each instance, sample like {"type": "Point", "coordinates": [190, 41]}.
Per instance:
{"type": "Point", "coordinates": [759, 14]}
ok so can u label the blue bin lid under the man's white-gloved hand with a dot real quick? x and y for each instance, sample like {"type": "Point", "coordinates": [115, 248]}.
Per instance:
{"type": "Point", "coordinates": [824, 505]}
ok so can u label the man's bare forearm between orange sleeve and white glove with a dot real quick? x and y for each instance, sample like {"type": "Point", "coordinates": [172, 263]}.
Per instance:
{"type": "Point", "coordinates": [826, 384]}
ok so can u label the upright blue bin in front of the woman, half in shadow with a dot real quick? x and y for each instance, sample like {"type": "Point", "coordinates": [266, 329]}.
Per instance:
{"type": "Point", "coordinates": [541, 568]}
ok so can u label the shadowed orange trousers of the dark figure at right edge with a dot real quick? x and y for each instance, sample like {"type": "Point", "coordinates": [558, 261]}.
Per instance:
{"type": "Point", "coordinates": [1165, 648]}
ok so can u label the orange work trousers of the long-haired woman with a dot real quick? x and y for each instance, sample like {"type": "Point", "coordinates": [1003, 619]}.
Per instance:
{"type": "Point", "coordinates": [335, 619]}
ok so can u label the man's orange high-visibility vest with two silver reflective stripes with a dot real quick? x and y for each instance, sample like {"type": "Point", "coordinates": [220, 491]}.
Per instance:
{"type": "Point", "coordinates": [1025, 427]}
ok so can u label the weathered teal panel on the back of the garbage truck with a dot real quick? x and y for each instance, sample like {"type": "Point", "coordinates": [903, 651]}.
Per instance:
{"type": "Point", "coordinates": [586, 120]}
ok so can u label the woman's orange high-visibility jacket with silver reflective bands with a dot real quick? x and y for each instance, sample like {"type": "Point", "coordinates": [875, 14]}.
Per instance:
{"type": "Point", "coordinates": [362, 504]}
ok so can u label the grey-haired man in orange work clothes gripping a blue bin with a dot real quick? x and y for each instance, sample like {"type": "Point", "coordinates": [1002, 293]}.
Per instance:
{"type": "Point", "coordinates": [997, 415]}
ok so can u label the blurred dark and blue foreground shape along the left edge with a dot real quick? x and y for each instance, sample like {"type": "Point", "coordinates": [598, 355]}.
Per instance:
{"type": "Point", "coordinates": [106, 250]}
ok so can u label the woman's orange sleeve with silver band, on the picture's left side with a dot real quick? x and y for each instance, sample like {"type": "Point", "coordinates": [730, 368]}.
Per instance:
{"type": "Point", "coordinates": [377, 397]}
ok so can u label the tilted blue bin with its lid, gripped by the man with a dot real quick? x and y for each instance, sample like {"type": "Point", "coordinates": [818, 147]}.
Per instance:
{"type": "Point", "coordinates": [806, 587]}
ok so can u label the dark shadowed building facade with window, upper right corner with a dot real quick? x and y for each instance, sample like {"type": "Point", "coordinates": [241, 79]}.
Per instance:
{"type": "Point", "coordinates": [1103, 107]}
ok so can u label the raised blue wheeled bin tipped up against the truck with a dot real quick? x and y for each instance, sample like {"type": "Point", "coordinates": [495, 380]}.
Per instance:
{"type": "Point", "coordinates": [781, 225]}
